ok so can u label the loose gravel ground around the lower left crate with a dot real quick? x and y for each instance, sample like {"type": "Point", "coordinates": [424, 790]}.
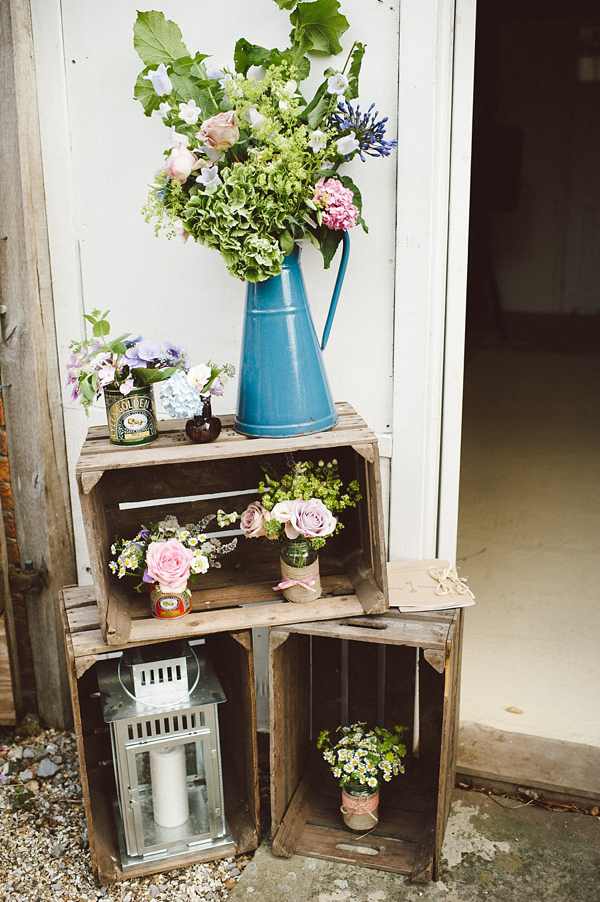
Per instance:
{"type": "Point", "coordinates": [44, 850]}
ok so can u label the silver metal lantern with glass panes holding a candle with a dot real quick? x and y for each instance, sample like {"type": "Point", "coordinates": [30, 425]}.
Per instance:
{"type": "Point", "coordinates": [161, 704]}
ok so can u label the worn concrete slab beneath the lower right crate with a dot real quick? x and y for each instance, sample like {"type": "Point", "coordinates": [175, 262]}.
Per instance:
{"type": "Point", "coordinates": [495, 849]}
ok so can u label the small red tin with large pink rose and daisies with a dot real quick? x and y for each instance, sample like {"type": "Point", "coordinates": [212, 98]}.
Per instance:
{"type": "Point", "coordinates": [166, 558]}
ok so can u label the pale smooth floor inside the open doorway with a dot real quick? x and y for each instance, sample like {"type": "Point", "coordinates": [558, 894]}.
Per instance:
{"type": "Point", "coordinates": [528, 542]}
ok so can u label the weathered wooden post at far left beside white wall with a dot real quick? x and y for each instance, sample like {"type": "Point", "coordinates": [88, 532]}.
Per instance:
{"type": "Point", "coordinates": [28, 362]}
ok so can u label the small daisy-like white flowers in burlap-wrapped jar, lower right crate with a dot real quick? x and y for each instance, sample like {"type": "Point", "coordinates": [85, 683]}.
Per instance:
{"type": "Point", "coordinates": [360, 760]}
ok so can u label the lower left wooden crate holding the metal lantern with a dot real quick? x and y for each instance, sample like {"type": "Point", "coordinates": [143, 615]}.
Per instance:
{"type": "Point", "coordinates": [231, 655]}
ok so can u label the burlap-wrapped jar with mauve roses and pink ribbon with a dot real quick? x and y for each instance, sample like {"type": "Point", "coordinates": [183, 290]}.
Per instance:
{"type": "Point", "coordinates": [299, 511]}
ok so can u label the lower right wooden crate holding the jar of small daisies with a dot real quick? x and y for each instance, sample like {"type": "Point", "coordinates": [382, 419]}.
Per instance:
{"type": "Point", "coordinates": [365, 669]}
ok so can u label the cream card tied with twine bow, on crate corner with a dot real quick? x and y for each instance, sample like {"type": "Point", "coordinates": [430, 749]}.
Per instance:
{"type": "Point", "coordinates": [430, 585]}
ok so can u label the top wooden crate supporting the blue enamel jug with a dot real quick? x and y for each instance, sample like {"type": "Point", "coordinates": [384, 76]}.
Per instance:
{"type": "Point", "coordinates": [121, 489]}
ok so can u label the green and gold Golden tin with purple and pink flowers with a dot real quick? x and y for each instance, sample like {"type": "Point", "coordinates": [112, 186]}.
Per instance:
{"type": "Point", "coordinates": [123, 371]}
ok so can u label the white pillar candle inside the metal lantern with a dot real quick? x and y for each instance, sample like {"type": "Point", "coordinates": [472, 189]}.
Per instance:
{"type": "Point", "coordinates": [169, 786]}
